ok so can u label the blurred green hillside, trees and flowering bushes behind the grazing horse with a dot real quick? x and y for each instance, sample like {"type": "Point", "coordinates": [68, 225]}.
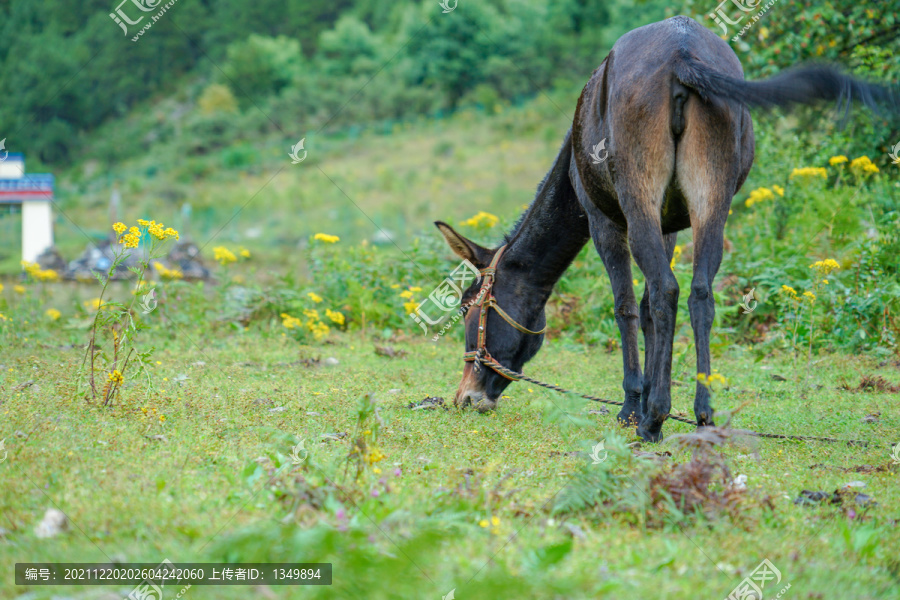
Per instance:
{"type": "Point", "coordinates": [412, 115]}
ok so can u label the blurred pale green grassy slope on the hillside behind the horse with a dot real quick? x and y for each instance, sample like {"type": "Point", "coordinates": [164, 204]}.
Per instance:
{"type": "Point", "coordinates": [423, 170]}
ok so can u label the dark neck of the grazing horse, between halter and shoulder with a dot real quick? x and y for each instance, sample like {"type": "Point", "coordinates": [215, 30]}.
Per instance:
{"type": "Point", "coordinates": [554, 228]}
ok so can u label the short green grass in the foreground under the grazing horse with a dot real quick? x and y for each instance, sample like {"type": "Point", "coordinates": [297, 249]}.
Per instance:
{"type": "Point", "coordinates": [199, 495]}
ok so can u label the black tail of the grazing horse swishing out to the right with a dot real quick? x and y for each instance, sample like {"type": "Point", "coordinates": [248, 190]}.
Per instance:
{"type": "Point", "coordinates": [806, 84]}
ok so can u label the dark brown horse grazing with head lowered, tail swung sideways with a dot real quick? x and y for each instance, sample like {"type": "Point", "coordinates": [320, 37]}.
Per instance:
{"type": "Point", "coordinates": [661, 140]}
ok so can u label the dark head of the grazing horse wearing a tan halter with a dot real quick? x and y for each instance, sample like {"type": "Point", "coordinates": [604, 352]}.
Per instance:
{"type": "Point", "coordinates": [504, 320]}
